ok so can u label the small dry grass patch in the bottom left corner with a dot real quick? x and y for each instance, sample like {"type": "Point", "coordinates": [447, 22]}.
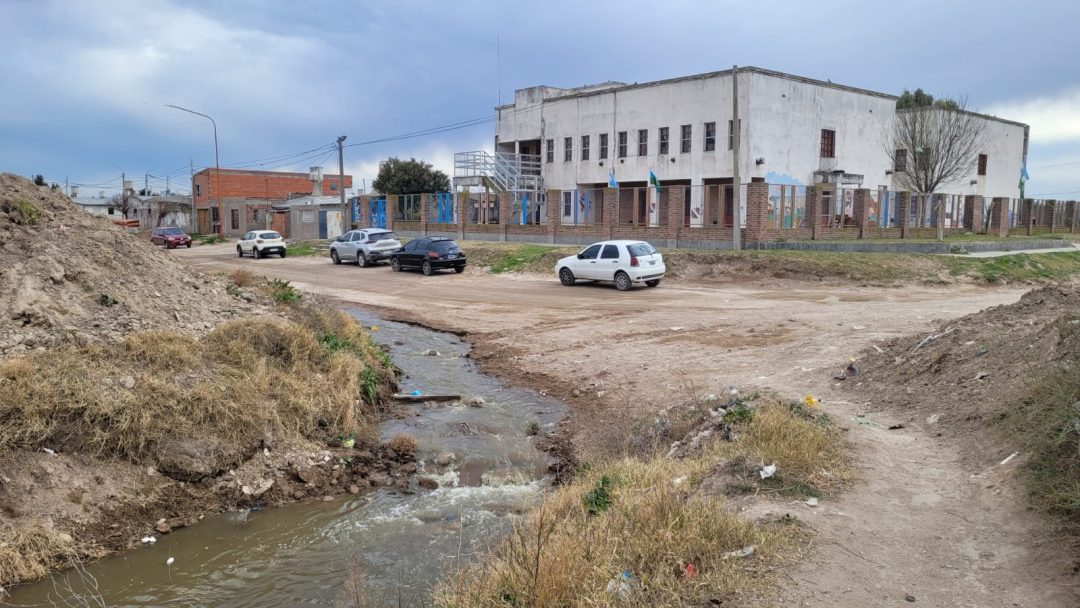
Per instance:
{"type": "Point", "coordinates": [33, 550]}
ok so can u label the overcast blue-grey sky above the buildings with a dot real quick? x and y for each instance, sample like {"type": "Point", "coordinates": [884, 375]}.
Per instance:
{"type": "Point", "coordinates": [86, 82]}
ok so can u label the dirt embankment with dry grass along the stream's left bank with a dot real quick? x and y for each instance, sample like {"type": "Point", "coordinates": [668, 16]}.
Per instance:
{"type": "Point", "coordinates": [138, 395]}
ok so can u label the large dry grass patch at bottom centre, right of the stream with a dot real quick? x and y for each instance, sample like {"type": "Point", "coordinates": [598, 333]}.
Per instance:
{"type": "Point", "coordinates": [651, 528]}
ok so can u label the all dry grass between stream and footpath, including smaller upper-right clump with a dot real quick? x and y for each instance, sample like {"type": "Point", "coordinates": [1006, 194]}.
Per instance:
{"type": "Point", "coordinates": [632, 516]}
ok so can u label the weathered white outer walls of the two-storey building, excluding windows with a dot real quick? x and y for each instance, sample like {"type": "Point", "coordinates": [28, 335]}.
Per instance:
{"type": "Point", "coordinates": [782, 123]}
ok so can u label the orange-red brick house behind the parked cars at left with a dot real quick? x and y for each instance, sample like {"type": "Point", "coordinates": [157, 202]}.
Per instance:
{"type": "Point", "coordinates": [248, 197]}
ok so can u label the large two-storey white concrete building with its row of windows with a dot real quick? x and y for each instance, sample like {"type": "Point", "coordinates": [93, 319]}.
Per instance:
{"type": "Point", "coordinates": [793, 131]}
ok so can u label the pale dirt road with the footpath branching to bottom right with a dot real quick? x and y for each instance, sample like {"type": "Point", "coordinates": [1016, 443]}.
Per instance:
{"type": "Point", "coordinates": [917, 524]}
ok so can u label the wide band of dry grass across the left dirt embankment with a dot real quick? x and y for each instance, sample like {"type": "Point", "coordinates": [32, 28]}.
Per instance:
{"type": "Point", "coordinates": [245, 382]}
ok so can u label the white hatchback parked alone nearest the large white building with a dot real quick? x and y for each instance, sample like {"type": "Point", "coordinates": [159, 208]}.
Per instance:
{"type": "Point", "coordinates": [623, 263]}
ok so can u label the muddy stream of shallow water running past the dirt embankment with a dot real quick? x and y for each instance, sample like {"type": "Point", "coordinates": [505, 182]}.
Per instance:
{"type": "Point", "coordinates": [300, 555]}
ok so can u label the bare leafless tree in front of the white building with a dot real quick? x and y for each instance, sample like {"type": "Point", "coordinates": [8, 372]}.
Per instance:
{"type": "Point", "coordinates": [935, 145]}
